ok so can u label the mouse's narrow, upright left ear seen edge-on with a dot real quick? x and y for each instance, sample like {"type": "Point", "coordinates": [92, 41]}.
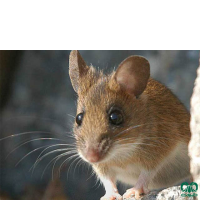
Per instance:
{"type": "Point", "coordinates": [77, 68]}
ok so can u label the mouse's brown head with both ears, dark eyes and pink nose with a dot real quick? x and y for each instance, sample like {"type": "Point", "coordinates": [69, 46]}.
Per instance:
{"type": "Point", "coordinates": [107, 106]}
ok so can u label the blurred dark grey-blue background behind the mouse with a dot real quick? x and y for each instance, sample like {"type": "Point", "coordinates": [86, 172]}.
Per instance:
{"type": "Point", "coordinates": [37, 97]}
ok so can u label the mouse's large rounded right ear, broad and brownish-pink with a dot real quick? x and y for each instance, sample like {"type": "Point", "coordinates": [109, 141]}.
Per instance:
{"type": "Point", "coordinates": [133, 74]}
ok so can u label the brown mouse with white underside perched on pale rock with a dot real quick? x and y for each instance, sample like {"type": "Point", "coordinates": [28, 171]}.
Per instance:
{"type": "Point", "coordinates": [129, 127]}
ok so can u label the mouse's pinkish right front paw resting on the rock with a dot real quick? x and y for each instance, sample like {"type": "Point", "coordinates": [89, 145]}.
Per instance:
{"type": "Point", "coordinates": [135, 192]}
